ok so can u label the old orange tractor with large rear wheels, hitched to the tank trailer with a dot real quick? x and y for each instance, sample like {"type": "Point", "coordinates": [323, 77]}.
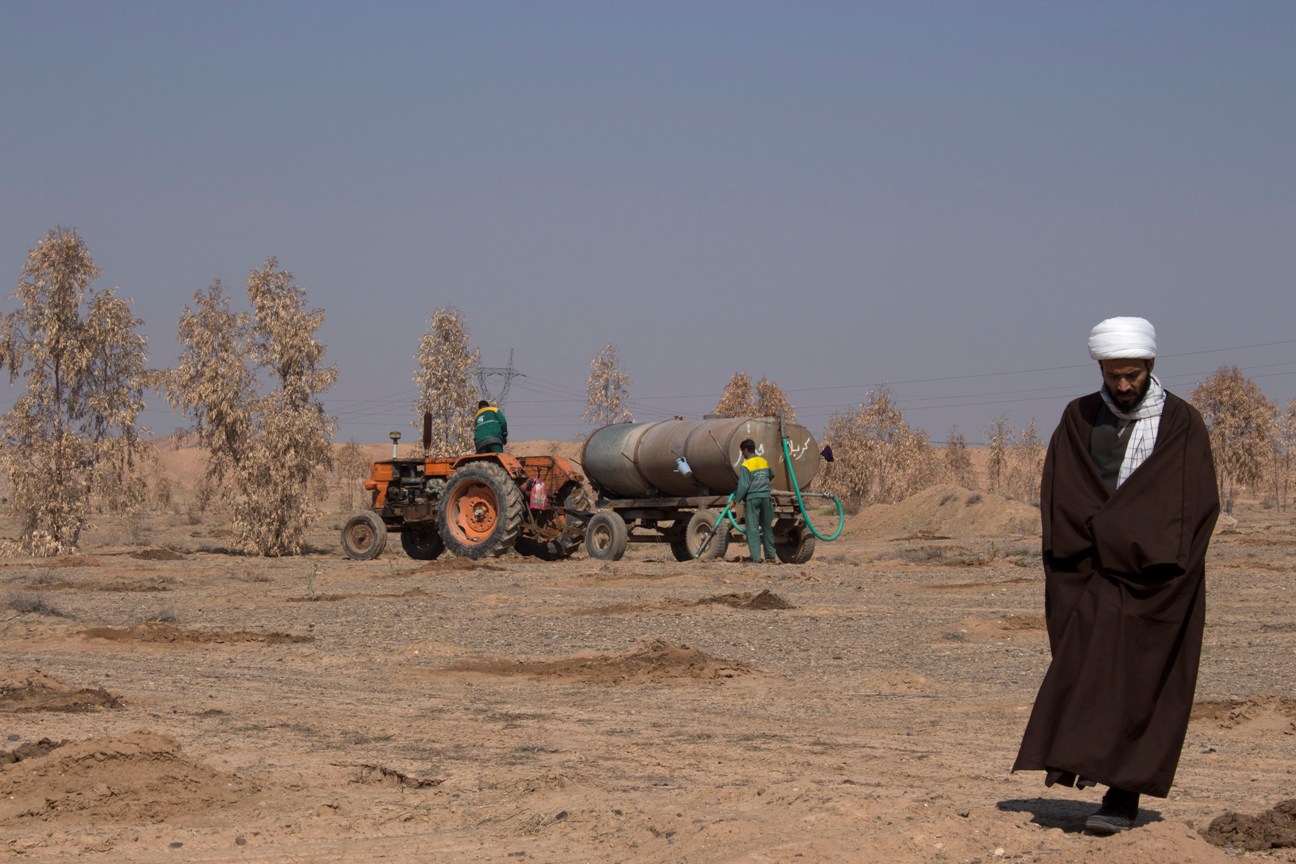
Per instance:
{"type": "Point", "coordinates": [478, 506]}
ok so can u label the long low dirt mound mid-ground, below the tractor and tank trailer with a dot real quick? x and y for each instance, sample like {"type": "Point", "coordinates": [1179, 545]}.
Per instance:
{"type": "Point", "coordinates": [650, 663]}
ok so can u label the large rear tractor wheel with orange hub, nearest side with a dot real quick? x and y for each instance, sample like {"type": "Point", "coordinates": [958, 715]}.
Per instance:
{"type": "Point", "coordinates": [481, 512]}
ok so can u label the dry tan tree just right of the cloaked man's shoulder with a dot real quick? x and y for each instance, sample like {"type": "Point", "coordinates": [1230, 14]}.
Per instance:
{"type": "Point", "coordinates": [1241, 423]}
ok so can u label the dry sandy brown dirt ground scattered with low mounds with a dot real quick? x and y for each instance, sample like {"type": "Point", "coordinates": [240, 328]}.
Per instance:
{"type": "Point", "coordinates": [163, 700]}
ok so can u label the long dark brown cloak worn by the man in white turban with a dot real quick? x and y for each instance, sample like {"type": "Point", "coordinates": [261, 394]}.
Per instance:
{"type": "Point", "coordinates": [1124, 602]}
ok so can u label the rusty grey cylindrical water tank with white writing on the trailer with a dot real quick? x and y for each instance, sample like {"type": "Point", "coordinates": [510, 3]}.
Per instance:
{"type": "Point", "coordinates": [694, 458]}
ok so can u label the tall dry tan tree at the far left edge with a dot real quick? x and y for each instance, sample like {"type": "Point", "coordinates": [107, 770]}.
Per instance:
{"type": "Point", "coordinates": [73, 431]}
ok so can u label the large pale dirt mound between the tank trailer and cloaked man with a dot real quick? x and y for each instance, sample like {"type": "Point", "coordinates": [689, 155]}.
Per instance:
{"type": "Point", "coordinates": [947, 512]}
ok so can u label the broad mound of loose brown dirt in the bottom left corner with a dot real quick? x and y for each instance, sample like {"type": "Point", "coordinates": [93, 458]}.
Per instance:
{"type": "Point", "coordinates": [137, 778]}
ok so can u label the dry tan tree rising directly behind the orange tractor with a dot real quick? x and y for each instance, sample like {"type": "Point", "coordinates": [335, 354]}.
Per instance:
{"type": "Point", "coordinates": [445, 379]}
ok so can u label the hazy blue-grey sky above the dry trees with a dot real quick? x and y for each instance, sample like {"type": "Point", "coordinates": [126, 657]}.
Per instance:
{"type": "Point", "coordinates": [943, 198]}
